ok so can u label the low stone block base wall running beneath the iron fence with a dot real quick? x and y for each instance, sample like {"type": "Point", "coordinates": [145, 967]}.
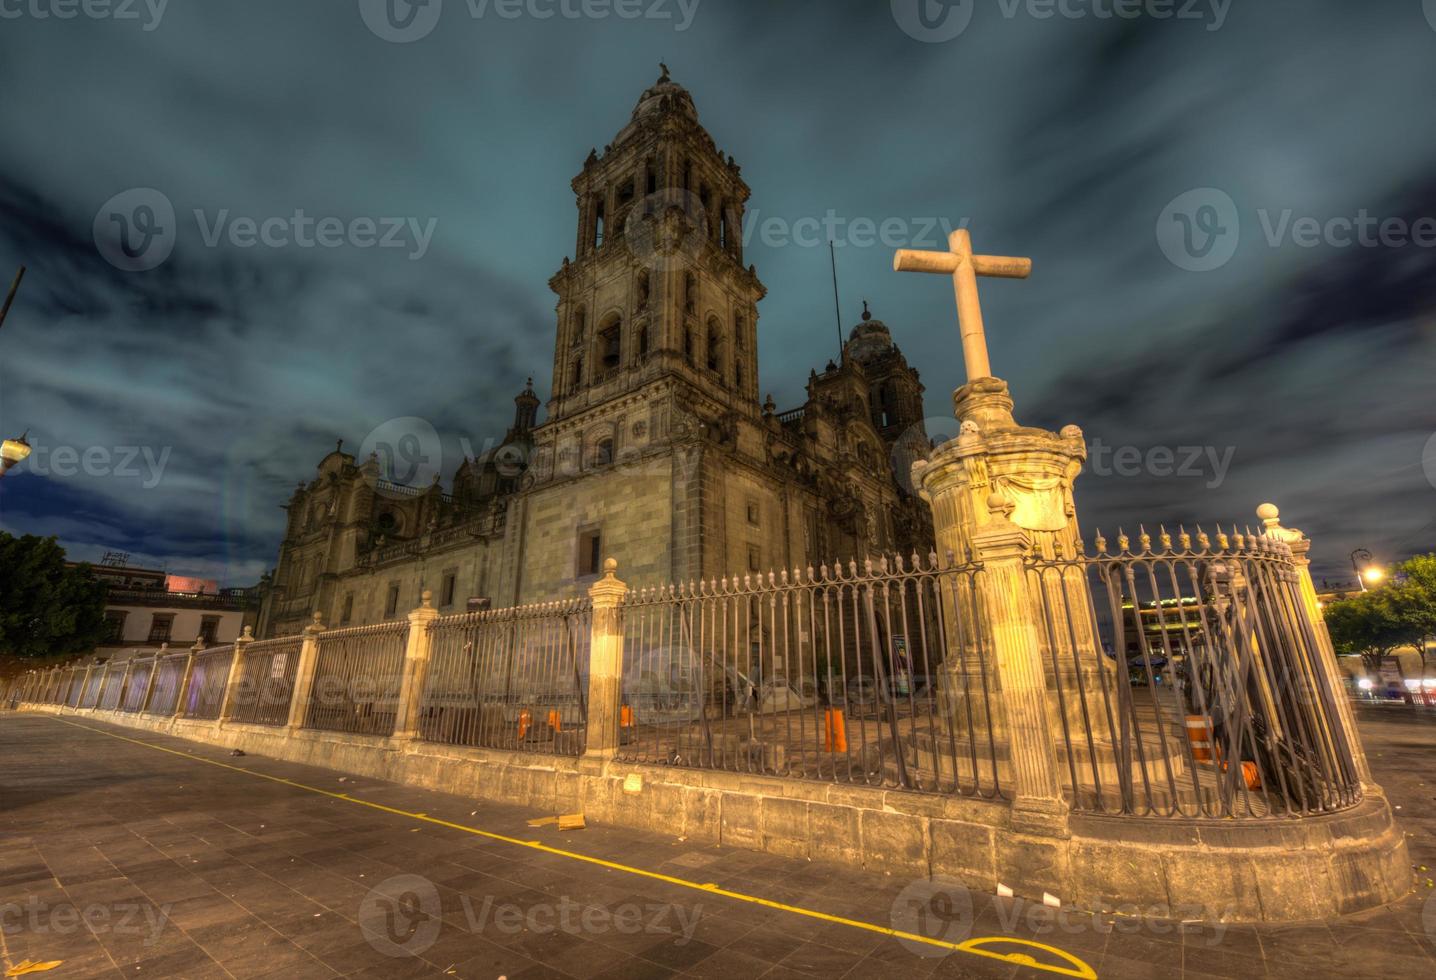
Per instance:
{"type": "Point", "coordinates": [1289, 870]}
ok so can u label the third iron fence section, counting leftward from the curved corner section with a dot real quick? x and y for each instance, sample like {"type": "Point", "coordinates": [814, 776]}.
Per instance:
{"type": "Point", "coordinates": [510, 679]}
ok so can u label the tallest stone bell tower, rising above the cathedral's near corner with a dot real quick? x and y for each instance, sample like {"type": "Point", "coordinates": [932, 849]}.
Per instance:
{"type": "Point", "coordinates": [657, 285]}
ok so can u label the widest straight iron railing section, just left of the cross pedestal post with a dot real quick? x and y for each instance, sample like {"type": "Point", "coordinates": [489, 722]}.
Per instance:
{"type": "Point", "coordinates": [838, 675]}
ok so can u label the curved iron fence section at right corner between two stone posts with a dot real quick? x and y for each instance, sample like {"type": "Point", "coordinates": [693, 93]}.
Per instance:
{"type": "Point", "coordinates": [1185, 682]}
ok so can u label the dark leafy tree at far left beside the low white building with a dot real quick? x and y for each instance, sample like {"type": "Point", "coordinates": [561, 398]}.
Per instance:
{"type": "Point", "coordinates": [48, 609]}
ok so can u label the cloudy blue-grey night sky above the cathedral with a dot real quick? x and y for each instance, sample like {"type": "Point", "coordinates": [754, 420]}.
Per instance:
{"type": "Point", "coordinates": [1231, 212]}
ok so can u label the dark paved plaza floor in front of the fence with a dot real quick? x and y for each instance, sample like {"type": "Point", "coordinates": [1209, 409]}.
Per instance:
{"type": "Point", "coordinates": [140, 856]}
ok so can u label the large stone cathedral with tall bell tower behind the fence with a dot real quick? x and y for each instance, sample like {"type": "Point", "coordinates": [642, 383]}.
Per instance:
{"type": "Point", "coordinates": [656, 449]}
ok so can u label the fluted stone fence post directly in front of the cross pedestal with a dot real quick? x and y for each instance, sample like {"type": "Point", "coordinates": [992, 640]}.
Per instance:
{"type": "Point", "coordinates": [1038, 794]}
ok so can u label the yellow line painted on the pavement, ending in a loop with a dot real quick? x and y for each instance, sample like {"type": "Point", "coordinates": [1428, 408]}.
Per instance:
{"type": "Point", "coordinates": [974, 946]}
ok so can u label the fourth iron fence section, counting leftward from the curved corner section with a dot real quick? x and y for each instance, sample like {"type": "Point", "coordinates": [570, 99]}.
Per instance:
{"type": "Point", "coordinates": [358, 673]}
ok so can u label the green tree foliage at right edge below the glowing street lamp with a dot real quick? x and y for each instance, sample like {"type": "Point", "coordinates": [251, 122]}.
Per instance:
{"type": "Point", "coordinates": [1399, 614]}
